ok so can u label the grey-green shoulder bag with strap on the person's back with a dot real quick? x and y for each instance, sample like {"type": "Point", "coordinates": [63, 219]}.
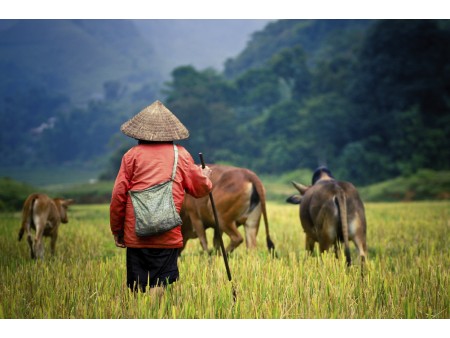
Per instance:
{"type": "Point", "coordinates": [154, 207]}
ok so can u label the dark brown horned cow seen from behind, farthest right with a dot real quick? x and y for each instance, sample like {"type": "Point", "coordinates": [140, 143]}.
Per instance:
{"type": "Point", "coordinates": [331, 212]}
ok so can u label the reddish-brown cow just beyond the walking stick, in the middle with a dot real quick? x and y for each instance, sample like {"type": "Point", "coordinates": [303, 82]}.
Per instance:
{"type": "Point", "coordinates": [239, 197]}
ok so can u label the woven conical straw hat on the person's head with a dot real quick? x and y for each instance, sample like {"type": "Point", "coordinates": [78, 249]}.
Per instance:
{"type": "Point", "coordinates": [155, 123]}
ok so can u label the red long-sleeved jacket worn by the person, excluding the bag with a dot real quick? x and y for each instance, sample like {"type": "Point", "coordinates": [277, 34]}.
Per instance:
{"type": "Point", "coordinates": [146, 165]}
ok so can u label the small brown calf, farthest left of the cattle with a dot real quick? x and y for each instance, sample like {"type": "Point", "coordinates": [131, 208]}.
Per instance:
{"type": "Point", "coordinates": [44, 215]}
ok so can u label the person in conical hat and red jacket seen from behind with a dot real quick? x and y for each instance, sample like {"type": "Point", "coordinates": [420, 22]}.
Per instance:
{"type": "Point", "coordinates": [152, 250]}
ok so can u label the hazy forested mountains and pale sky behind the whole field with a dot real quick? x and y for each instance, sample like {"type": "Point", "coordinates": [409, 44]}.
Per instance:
{"type": "Point", "coordinates": [368, 98]}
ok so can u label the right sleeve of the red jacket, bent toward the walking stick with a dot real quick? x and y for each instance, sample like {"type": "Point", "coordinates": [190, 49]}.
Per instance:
{"type": "Point", "coordinates": [195, 183]}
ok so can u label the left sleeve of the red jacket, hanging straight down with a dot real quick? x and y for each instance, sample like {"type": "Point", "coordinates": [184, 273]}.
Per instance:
{"type": "Point", "coordinates": [119, 198]}
